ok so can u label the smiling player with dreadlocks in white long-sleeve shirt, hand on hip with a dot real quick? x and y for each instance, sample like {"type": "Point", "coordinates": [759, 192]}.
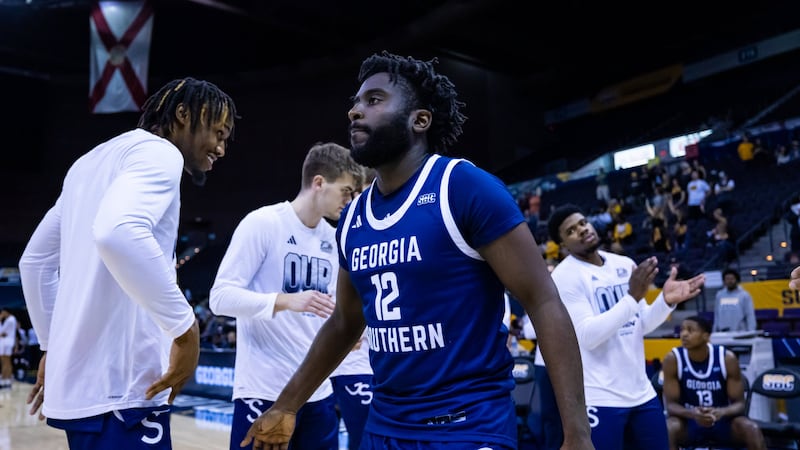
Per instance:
{"type": "Point", "coordinates": [99, 276]}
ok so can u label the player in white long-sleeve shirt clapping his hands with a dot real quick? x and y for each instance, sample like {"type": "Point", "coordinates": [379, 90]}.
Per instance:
{"type": "Point", "coordinates": [604, 294]}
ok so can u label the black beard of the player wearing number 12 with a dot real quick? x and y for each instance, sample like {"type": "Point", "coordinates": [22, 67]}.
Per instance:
{"type": "Point", "coordinates": [384, 144]}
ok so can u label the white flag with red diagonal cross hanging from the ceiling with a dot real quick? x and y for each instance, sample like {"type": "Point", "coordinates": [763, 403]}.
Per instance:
{"type": "Point", "coordinates": [119, 55]}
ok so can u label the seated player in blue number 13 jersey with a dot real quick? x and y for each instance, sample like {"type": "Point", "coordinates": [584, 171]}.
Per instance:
{"type": "Point", "coordinates": [704, 393]}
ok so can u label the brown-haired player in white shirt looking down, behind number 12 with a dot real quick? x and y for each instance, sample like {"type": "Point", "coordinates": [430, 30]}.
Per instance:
{"type": "Point", "coordinates": [277, 278]}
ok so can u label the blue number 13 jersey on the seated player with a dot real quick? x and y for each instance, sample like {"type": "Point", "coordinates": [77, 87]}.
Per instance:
{"type": "Point", "coordinates": [702, 383]}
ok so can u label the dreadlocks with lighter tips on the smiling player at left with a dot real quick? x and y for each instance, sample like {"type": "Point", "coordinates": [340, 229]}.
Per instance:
{"type": "Point", "coordinates": [159, 110]}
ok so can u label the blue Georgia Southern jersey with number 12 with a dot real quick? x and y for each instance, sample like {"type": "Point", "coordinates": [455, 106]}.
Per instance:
{"type": "Point", "coordinates": [433, 306]}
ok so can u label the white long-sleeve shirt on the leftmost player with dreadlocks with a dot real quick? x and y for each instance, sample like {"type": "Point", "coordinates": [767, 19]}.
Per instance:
{"type": "Point", "coordinates": [99, 278]}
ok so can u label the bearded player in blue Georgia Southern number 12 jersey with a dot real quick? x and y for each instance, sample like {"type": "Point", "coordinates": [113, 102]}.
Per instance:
{"type": "Point", "coordinates": [425, 255]}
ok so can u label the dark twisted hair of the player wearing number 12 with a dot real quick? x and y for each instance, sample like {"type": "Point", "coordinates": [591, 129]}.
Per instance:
{"type": "Point", "coordinates": [427, 89]}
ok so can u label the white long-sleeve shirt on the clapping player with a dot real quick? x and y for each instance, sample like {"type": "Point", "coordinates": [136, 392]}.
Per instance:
{"type": "Point", "coordinates": [610, 326]}
